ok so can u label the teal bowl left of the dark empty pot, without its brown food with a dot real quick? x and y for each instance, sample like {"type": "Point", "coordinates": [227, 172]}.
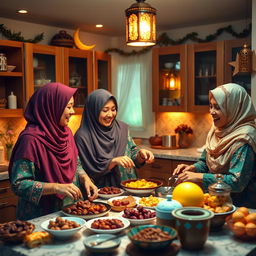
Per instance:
{"type": "Point", "coordinates": [152, 244]}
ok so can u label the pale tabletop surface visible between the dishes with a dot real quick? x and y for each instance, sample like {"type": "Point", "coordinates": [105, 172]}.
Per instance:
{"type": "Point", "coordinates": [219, 243]}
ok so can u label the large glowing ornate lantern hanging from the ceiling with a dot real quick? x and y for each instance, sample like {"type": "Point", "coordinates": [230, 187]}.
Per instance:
{"type": "Point", "coordinates": [140, 24]}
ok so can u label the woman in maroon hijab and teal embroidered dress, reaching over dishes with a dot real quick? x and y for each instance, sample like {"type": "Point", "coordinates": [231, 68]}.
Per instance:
{"type": "Point", "coordinates": [44, 168]}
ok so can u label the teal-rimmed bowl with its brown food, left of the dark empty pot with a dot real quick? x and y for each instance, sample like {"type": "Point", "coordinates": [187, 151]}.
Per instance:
{"type": "Point", "coordinates": [152, 236]}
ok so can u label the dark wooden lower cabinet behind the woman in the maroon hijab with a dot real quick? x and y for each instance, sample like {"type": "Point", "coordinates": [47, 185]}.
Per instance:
{"type": "Point", "coordinates": [8, 202]}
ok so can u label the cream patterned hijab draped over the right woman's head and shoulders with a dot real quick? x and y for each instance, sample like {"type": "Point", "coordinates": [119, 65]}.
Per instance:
{"type": "Point", "coordinates": [240, 129]}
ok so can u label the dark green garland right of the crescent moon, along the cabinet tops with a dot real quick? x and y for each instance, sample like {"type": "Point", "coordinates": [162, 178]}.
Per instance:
{"type": "Point", "coordinates": [164, 40]}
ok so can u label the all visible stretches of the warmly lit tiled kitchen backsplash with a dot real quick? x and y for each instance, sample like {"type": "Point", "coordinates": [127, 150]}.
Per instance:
{"type": "Point", "coordinates": [165, 124]}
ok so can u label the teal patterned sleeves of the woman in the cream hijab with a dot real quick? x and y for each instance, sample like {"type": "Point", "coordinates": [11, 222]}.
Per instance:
{"type": "Point", "coordinates": [240, 172]}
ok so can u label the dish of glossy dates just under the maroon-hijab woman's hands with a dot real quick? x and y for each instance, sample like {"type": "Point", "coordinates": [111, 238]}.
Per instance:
{"type": "Point", "coordinates": [86, 209]}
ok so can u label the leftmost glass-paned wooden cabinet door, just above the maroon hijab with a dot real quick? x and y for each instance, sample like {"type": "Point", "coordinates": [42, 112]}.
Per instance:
{"type": "Point", "coordinates": [43, 65]}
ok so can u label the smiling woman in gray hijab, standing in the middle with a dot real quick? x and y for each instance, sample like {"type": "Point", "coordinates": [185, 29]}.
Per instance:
{"type": "Point", "coordinates": [107, 152]}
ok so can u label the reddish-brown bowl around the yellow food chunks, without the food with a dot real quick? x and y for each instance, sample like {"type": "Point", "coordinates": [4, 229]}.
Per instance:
{"type": "Point", "coordinates": [141, 191]}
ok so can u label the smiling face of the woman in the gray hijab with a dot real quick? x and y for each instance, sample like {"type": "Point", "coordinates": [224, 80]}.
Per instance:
{"type": "Point", "coordinates": [108, 113]}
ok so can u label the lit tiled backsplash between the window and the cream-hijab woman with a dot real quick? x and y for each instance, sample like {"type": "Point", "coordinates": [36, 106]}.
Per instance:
{"type": "Point", "coordinates": [200, 123]}
